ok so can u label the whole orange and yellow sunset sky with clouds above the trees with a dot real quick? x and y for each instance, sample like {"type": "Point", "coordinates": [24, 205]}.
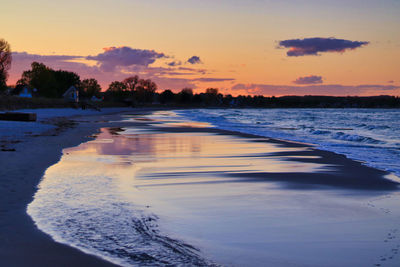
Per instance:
{"type": "Point", "coordinates": [256, 47]}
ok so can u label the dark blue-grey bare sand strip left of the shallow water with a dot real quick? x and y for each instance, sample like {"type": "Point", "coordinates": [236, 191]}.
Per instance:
{"type": "Point", "coordinates": [21, 242]}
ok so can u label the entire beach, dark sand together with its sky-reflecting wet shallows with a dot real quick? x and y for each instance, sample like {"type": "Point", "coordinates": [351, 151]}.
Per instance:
{"type": "Point", "coordinates": [191, 173]}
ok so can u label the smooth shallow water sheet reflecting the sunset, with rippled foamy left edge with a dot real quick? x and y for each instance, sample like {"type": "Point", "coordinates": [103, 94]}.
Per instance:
{"type": "Point", "coordinates": [150, 197]}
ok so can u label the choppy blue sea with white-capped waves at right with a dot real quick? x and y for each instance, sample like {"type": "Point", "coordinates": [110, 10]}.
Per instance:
{"type": "Point", "coordinates": [368, 135]}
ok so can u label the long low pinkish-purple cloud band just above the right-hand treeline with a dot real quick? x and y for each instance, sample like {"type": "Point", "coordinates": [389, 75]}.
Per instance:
{"type": "Point", "coordinates": [331, 89]}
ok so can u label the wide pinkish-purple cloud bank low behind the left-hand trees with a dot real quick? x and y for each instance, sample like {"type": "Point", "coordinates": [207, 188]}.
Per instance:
{"type": "Point", "coordinates": [164, 77]}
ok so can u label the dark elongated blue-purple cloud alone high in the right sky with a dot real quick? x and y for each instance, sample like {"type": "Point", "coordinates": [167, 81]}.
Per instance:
{"type": "Point", "coordinates": [315, 46]}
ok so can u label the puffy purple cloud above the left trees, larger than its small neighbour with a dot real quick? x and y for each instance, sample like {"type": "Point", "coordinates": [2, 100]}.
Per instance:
{"type": "Point", "coordinates": [123, 56]}
